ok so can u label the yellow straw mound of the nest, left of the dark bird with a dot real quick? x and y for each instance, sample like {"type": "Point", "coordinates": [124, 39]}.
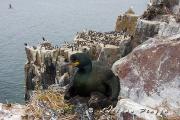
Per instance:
{"type": "Point", "coordinates": [49, 104]}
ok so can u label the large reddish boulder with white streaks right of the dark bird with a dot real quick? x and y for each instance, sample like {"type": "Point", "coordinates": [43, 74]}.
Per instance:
{"type": "Point", "coordinates": [150, 74]}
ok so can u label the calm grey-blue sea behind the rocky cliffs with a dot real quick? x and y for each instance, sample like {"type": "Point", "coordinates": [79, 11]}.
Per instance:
{"type": "Point", "coordinates": [56, 20]}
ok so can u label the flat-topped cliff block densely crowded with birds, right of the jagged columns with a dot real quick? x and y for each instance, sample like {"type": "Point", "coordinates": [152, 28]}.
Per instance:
{"type": "Point", "coordinates": [105, 47]}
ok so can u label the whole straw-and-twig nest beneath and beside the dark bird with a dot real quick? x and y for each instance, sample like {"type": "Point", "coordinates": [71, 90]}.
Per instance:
{"type": "Point", "coordinates": [50, 104]}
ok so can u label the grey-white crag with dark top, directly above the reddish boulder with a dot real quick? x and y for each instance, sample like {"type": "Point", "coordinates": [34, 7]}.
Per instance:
{"type": "Point", "coordinates": [161, 18]}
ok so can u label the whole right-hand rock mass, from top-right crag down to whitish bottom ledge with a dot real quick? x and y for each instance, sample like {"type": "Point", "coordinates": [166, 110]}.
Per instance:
{"type": "Point", "coordinates": [149, 75]}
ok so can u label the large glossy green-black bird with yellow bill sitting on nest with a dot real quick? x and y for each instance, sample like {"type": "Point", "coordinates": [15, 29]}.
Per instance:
{"type": "Point", "coordinates": [92, 78]}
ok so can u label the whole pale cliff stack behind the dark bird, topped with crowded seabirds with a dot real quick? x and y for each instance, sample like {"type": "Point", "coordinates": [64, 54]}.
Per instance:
{"type": "Point", "coordinates": [47, 64]}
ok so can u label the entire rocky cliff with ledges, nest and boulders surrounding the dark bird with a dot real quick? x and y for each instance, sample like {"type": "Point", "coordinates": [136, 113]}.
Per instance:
{"type": "Point", "coordinates": [143, 53]}
